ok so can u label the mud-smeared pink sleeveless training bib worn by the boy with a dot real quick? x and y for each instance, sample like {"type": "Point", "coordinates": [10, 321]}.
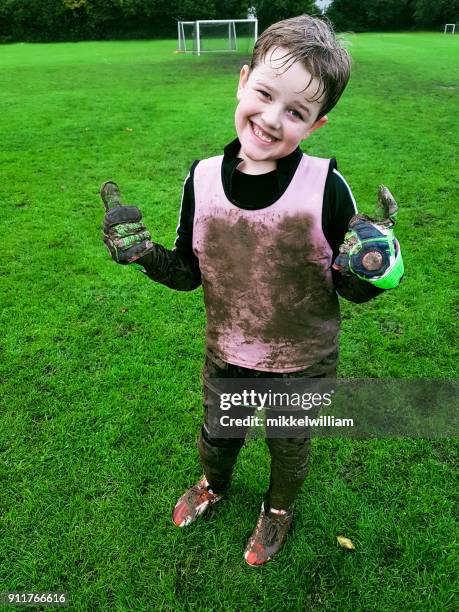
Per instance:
{"type": "Point", "coordinates": [268, 290]}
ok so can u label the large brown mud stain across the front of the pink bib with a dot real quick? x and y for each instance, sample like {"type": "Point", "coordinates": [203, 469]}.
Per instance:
{"type": "Point", "coordinates": [267, 280]}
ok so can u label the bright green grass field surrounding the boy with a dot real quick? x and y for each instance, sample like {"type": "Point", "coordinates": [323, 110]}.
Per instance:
{"type": "Point", "coordinates": [101, 398]}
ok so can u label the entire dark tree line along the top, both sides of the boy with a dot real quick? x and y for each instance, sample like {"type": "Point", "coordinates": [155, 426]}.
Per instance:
{"type": "Point", "coordinates": [59, 20]}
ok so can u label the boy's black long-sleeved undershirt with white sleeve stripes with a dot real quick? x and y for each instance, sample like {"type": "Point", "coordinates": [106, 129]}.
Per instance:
{"type": "Point", "coordinates": [179, 268]}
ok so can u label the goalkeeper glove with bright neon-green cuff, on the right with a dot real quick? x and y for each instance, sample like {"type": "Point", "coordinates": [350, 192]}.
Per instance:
{"type": "Point", "coordinates": [370, 249]}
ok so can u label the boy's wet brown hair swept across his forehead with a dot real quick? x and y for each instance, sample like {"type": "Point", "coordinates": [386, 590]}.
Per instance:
{"type": "Point", "coordinates": [312, 42]}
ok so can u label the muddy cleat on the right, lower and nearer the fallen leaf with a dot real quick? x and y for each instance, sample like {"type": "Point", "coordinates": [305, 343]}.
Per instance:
{"type": "Point", "coordinates": [268, 536]}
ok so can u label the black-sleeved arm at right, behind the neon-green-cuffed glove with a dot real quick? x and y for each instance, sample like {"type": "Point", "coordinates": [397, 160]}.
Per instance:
{"type": "Point", "coordinates": [339, 208]}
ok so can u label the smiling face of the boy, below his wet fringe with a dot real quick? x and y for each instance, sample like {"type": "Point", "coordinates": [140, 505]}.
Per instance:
{"type": "Point", "coordinates": [275, 111]}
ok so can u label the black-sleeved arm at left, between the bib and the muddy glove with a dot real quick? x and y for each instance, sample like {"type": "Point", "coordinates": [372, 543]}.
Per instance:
{"type": "Point", "coordinates": [177, 268]}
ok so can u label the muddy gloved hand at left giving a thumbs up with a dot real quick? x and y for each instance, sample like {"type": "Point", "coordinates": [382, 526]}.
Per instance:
{"type": "Point", "coordinates": [125, 236]}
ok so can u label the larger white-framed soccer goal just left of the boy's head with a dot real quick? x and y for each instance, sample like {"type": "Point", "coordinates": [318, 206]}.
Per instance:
{"type": "Point", "coordinates": [217, 35]}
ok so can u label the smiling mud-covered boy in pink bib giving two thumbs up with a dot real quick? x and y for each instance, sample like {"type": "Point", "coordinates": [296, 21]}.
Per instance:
{"type": "Point", "coordinates": [261, 228]}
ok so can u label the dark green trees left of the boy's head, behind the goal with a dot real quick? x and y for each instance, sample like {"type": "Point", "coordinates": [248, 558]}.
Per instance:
{"type": "Point", "coordinates": [59, 20]}
